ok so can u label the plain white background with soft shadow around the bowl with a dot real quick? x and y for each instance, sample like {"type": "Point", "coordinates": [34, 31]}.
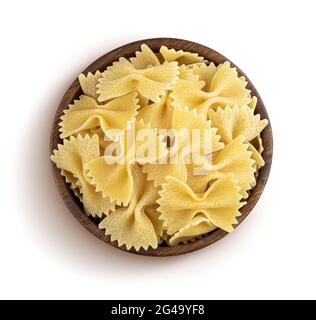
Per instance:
{"type": "Point", "coordinates": [45, 253]}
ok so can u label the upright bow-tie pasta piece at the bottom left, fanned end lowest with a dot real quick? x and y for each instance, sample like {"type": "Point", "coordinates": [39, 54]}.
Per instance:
{"type": "Point", "coordinates": [138, 224]}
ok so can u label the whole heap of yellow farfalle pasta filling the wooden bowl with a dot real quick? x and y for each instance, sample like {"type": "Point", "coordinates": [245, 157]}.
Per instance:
{"type": "Point", "coordinates": [161, 148]}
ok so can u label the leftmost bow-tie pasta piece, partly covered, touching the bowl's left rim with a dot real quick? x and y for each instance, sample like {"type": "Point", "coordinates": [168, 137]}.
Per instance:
{"type": "Point", "coordinates": [71, 157]}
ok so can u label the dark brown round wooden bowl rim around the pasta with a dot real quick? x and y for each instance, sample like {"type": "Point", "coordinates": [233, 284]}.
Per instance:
{"type": "Point", "coordinates": [128, 50]}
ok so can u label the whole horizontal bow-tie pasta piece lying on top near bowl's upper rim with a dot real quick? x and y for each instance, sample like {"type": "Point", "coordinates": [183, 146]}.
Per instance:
{"type": "Point", "coordinates": [122, 78]}
